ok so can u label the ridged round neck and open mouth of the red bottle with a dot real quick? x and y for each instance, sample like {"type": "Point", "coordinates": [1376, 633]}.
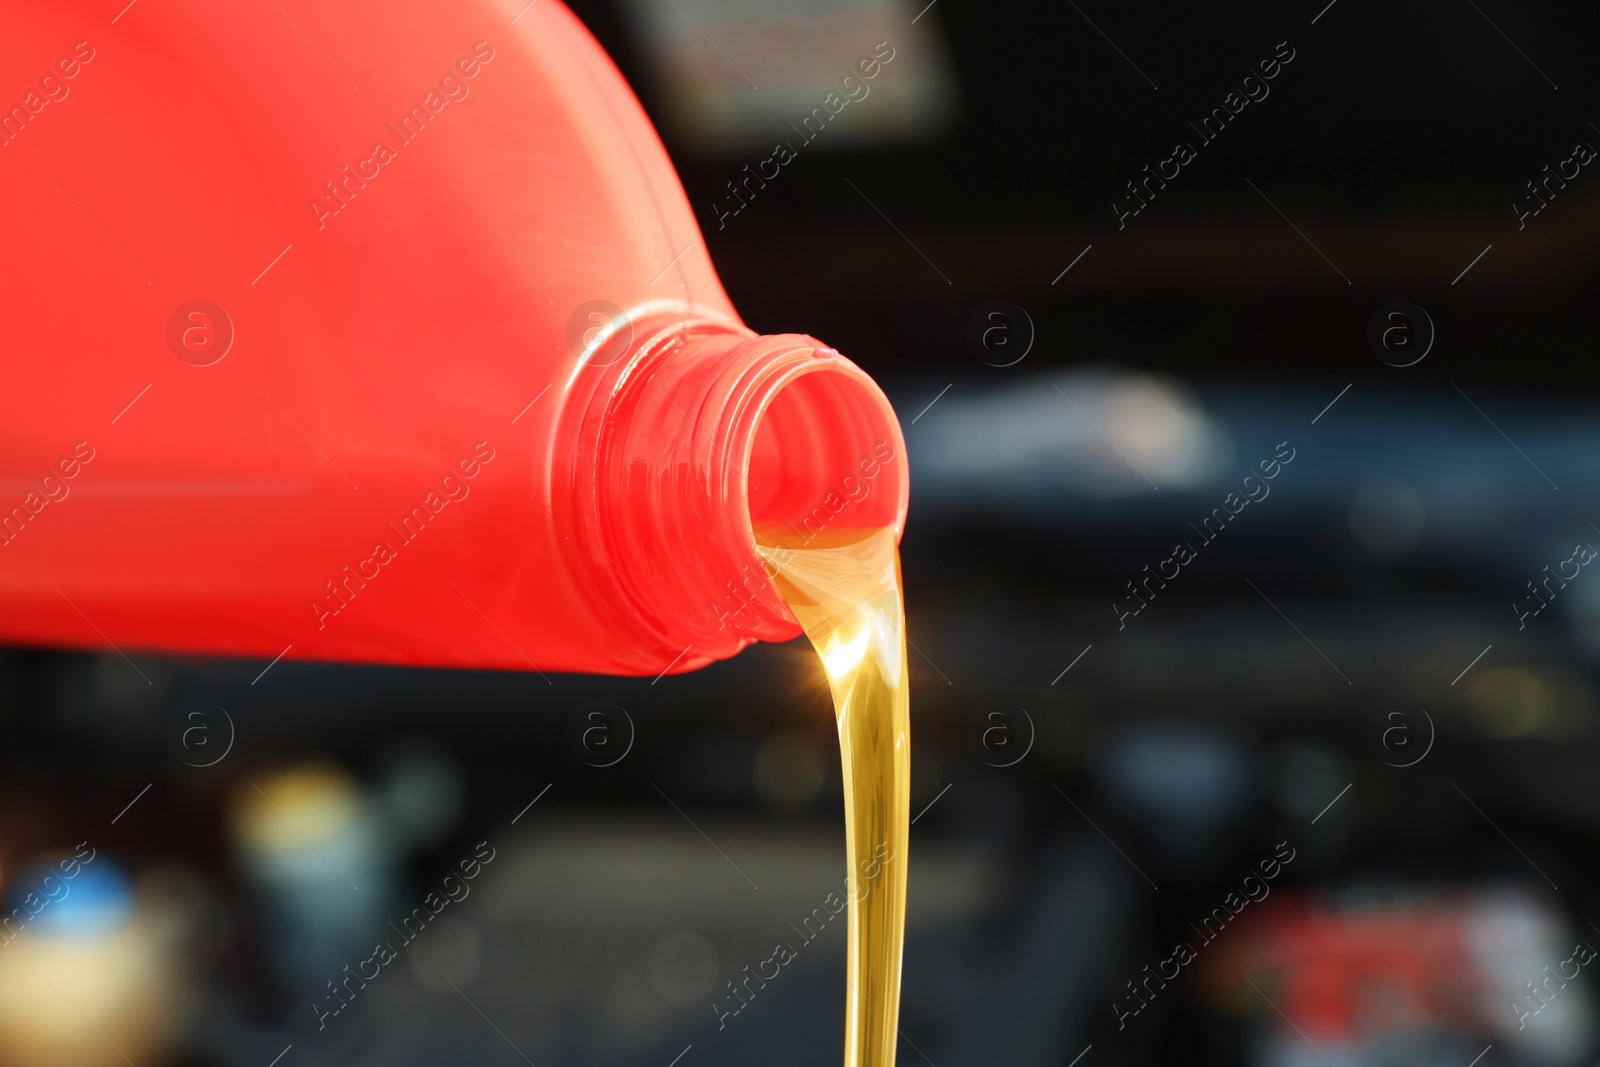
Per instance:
{"type": "Point", "coordinates": [694, 442]}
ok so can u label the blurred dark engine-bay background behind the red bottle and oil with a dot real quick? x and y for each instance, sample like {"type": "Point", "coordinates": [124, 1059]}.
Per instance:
{"type": "Point", "coordinates": [1348, 754]}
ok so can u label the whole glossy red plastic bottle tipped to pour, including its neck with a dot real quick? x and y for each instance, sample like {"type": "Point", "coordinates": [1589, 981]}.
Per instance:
{"type": "Point", "coordinates": [310, 350]}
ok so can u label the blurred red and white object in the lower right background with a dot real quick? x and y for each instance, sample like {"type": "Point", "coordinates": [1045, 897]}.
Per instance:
{"type": "Point", "coordinates": [1362, 967]}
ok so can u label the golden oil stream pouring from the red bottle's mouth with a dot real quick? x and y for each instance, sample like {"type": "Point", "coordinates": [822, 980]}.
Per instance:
{"type": "Point", "coordinates": [846, 591]}
